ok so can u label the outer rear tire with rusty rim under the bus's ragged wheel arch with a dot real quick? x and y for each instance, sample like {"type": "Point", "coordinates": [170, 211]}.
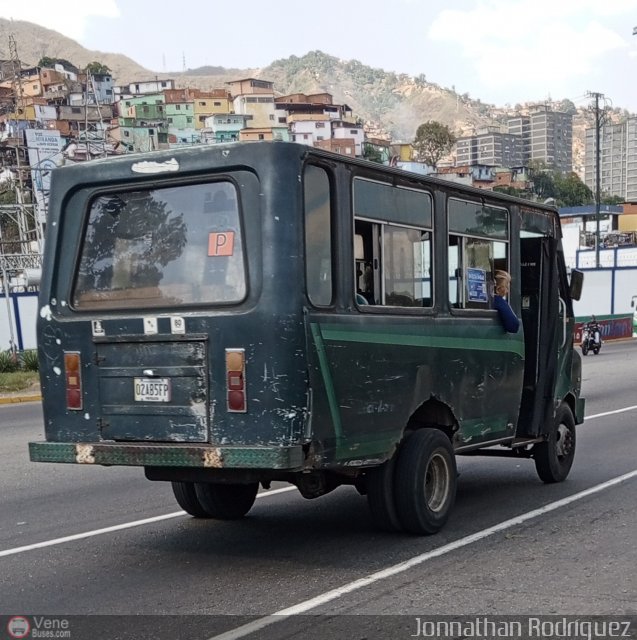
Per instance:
{"type": "Point", "coordinates": [425, 481]}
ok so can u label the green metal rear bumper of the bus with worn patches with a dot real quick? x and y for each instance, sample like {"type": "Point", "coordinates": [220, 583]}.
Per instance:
{"type": "Point", "coordinates": [288, 458]}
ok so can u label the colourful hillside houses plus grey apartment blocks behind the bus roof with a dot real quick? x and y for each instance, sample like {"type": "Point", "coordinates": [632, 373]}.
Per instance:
{"type": "Point", "coordinates": [95, 118]}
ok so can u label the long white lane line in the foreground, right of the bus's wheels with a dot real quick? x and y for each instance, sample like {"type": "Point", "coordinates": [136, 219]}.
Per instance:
{"type": "Point", "coordinates": [312, 603]}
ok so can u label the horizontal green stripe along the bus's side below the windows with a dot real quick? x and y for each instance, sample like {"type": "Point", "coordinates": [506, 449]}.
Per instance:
{"type": "Point", "coordinates": [505, 343]}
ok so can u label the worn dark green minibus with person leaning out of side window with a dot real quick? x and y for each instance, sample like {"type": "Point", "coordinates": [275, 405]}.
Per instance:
{"type": "Point", "coordinates": [232, 315]}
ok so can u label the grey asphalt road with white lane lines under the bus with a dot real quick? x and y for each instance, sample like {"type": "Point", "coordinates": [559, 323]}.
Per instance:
{"type": "Point", "coordinates": [567, 554]}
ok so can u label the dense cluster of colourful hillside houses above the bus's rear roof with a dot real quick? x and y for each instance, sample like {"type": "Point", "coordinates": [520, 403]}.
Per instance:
{"type": "Point", "coordinates": [155, 114]}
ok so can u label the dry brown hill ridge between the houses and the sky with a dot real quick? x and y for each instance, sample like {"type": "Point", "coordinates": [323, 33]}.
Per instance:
{"type": "Point", "coordinates": [391, 104]}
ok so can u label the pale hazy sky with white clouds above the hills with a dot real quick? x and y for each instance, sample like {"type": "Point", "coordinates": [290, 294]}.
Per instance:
{"type": "Point", "coordinates": [501, 51]}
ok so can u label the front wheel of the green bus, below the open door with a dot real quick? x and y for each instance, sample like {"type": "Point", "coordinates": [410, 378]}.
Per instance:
{"type": "Point", "coordinates": [554, 457]}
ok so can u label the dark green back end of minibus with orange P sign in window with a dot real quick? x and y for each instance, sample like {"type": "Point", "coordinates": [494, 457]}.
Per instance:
{"type": "Point", "coordinates": [170, 329]}
